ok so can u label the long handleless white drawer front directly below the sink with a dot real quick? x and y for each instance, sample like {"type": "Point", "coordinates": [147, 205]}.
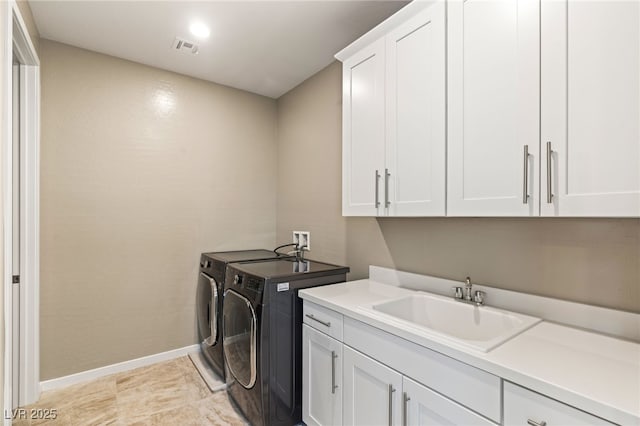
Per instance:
{"type": "Point", "coordinates": [470, 386]}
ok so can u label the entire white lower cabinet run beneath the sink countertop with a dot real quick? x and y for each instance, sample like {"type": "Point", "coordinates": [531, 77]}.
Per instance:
{"type": "Point", "coordinates": [373, 378]}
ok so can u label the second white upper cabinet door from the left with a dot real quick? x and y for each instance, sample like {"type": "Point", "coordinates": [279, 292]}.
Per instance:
{"type": "Point", "coordinates": [415, 181]}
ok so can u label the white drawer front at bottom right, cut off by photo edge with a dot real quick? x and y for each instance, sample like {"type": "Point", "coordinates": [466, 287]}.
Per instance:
{"type": "Point", "coordinates": [525, 407]}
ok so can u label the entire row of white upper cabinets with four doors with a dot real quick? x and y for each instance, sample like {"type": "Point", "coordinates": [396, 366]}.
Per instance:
{"type": "Point", "coordinates": [495, 108]}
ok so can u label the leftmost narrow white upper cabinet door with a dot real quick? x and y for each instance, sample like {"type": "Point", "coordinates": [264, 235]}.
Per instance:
{"type": "Point", "coordinates": [363, 132]}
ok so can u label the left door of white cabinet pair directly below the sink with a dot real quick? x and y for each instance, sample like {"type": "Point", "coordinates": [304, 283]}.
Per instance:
{"type": "Point", "coordinates": [371, 391]}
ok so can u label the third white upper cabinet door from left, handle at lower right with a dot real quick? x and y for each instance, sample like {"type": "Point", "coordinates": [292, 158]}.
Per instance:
{"type": "Point", "coordinates": [494, 101]}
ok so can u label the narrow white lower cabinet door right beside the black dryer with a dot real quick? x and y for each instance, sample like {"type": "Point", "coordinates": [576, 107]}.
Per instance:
{"type": "Point", "coordinates": [322, 379]}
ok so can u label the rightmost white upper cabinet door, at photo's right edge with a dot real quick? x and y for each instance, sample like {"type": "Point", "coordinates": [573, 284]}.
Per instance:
{"type": "Point", "coordinates": [590, 108]}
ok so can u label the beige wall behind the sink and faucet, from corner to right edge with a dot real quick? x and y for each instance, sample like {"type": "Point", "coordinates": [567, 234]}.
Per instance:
{"type": "Point", "coordinates": [595, 261]}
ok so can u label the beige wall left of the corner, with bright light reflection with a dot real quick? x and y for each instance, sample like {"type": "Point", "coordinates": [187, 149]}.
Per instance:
{"type": "Point", "coordinates": [141, 171]}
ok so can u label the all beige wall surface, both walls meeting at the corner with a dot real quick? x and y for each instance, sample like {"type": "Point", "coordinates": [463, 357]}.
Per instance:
{"type": "Point", "coordinates": [142, 170]}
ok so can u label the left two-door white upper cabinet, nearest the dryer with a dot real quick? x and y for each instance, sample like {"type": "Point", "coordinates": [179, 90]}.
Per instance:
{"type": "Point", "coordinates": [394, 146]}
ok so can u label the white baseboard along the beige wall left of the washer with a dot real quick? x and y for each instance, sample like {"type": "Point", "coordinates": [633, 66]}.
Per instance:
{"type": "Point", "coordinates": [120, 367]}
